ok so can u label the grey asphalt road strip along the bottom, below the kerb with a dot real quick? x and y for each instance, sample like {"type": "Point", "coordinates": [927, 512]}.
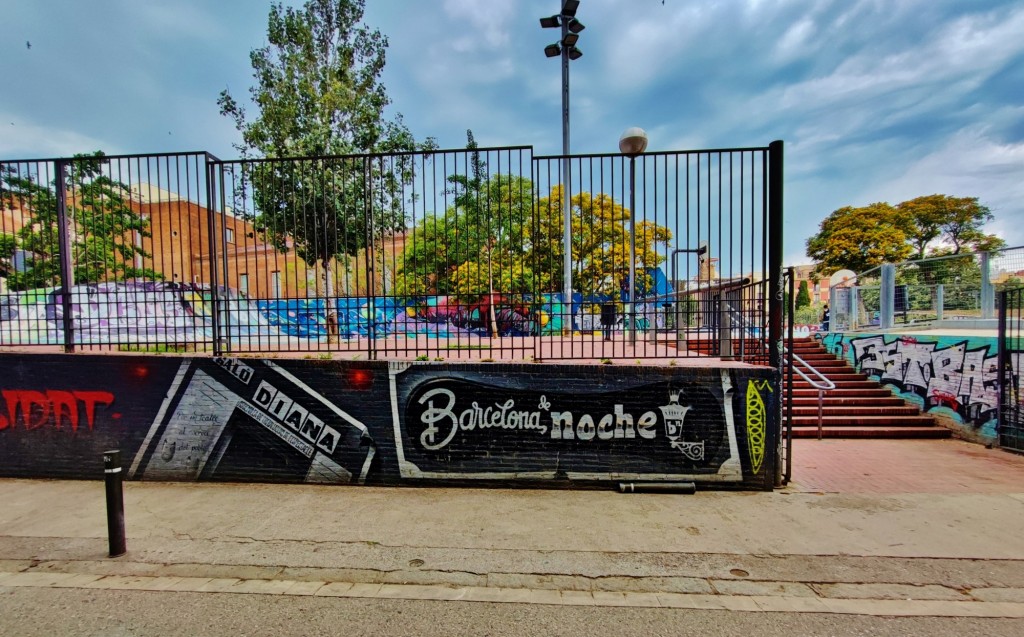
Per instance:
{"type": "Point", "coordinates": [77, 613]}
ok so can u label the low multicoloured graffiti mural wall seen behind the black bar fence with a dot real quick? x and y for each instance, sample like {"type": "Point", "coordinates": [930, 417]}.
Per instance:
{"type": "Point", "coordinates": [164, 313]}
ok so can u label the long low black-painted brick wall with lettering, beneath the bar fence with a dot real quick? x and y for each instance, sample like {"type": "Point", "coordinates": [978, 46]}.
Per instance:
{"type": "Point", "coordinates": [387, 423]}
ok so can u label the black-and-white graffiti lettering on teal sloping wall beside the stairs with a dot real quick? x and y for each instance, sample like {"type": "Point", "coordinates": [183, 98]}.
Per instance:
{"type": "Point", "coordinates": [953, 376]}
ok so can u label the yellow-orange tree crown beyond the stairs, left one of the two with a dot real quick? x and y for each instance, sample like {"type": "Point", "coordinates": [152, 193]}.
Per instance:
{"type": "Point", "coordinates": [860, 239]}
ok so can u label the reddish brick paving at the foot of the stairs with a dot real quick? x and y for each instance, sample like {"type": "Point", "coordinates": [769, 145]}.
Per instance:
{"type": "Point", "coordinates": [879, 466]}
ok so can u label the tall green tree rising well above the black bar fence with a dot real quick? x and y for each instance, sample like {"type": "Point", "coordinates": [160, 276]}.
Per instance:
{"type": "Point", "coordinates": [318, 94]}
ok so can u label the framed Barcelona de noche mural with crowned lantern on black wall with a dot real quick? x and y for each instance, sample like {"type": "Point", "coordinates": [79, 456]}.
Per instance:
{"type": "Point", "coordinates": [448, 428]}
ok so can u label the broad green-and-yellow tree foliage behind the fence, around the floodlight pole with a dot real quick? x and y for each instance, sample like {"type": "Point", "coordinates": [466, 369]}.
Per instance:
{"type": "Point", "coordinates": [449, 253]}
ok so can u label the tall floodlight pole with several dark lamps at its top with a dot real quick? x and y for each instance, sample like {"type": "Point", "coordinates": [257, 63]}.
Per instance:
{"type": "Point", "coordinates": [567, 49]}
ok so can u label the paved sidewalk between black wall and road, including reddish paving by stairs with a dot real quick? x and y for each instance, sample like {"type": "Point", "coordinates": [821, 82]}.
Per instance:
{"type": "Point", "coordinates": [884, 528]}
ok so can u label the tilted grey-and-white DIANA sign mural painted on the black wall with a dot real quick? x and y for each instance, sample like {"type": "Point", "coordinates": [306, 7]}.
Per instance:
{"type": "Point", "coordinates": [237, 420]}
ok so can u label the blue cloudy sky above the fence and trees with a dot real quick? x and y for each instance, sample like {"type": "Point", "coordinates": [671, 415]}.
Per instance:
{"type": "Point", "coordinates": [876, 100]}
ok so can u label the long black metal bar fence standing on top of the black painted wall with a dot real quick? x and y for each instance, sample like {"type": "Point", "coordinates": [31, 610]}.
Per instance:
{"type": "Point", "coordinates": [447, 254]}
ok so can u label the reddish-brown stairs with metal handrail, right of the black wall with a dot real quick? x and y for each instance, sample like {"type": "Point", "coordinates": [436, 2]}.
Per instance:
{"type": "Point", "coordinates": [858, 408]}
